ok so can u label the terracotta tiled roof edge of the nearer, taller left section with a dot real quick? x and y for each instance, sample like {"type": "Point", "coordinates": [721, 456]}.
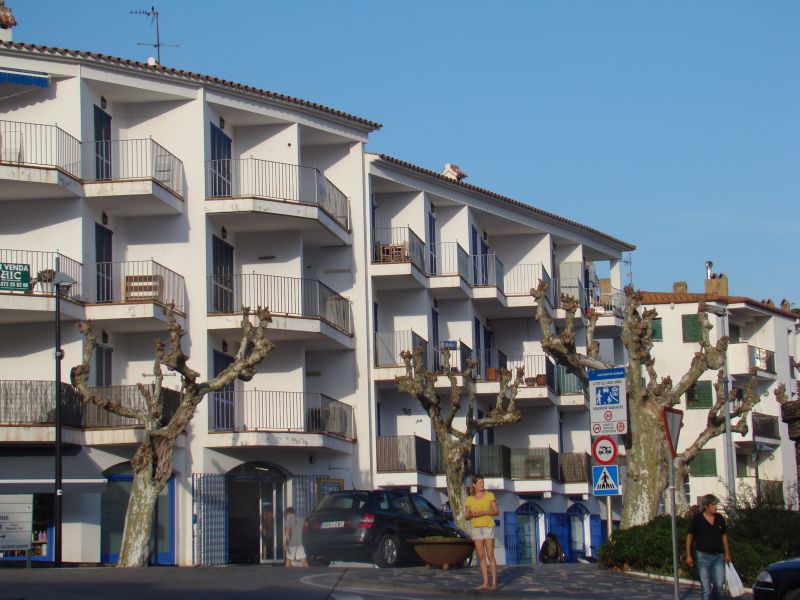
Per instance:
{"type": "Point", "coordinates": [179, 73]}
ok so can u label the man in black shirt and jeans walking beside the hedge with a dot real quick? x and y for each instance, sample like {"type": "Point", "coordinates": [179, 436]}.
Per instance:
{"type": "Point", "coordinates": [710, 536]}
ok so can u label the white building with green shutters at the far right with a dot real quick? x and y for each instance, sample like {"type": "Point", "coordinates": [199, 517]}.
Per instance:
{"type": "Point", "coordinates": [763, 337]}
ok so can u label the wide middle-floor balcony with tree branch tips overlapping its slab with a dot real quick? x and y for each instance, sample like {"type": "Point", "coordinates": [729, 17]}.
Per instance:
{"type": "Point", "coordinates": [302, 309]}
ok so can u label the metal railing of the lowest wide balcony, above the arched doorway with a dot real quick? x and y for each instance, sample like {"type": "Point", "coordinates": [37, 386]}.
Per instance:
{"type": "Point", "coordinates": [260, 410]}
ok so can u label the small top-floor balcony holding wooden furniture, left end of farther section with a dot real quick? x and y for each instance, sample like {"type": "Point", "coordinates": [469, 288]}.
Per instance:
{"type": "Point", "coordinates": [398, 259]}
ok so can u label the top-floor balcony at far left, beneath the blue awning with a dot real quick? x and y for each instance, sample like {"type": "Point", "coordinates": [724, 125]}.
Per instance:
{"type": "Point", "coordinates": [38, 161]}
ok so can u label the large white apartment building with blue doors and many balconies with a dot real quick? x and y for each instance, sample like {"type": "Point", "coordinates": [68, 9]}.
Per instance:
{"type": "Point", "coordinates": [149, 185]}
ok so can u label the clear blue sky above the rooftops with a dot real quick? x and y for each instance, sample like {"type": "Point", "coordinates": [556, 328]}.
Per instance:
{"type": "Point", "coordinates": [672, 125]}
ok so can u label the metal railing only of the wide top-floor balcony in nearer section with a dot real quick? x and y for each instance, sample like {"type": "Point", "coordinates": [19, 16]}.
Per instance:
{"type": "Point", "coordinates": [252, 177]}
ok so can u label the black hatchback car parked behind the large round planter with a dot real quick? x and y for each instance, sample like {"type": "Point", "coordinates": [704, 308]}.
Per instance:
{"type": "Point", "coordinates": [373, 526]}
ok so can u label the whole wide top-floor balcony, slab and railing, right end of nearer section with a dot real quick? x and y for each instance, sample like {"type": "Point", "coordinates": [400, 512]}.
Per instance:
{"type": "Point", "coordinates": [261, 195]}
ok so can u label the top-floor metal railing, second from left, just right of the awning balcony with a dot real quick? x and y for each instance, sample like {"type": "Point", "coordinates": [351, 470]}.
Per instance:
{"type": "Point", "coordinates": [128, 160]}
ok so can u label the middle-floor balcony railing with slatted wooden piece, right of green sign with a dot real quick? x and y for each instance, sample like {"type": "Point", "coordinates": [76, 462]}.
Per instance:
{"type": "Point", "coordinates": [135, 282]}
